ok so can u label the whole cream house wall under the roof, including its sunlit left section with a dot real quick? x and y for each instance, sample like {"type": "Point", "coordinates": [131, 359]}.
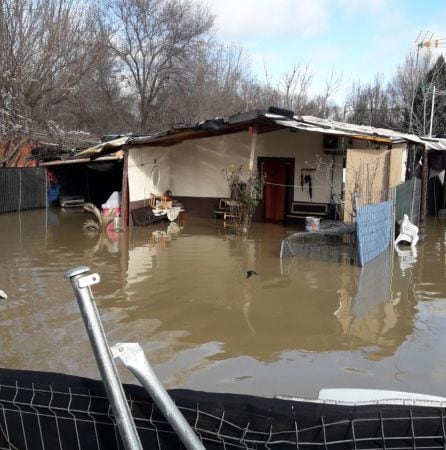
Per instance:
{"type": "Point", "coordinates": [194, 168]}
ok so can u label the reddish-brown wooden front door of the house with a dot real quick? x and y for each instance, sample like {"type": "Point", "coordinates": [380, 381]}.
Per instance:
{"type": "Point", "coordinates": [277, 177]}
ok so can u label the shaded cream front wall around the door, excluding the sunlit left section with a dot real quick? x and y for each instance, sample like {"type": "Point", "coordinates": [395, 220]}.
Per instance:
{"type": "Point", "coordinates": [196, 165]}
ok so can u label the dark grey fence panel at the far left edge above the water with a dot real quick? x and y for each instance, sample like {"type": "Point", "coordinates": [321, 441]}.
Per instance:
{"type": "Point", "coordinates": [22, 188]}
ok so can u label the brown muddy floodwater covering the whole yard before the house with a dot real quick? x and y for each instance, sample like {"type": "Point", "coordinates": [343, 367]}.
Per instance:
{"type": "Point", "coordinates": [298, 326]}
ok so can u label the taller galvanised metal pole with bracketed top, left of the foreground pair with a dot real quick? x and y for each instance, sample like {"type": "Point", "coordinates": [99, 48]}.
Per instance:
{"type": "Point", "coordinates": [81, 286]}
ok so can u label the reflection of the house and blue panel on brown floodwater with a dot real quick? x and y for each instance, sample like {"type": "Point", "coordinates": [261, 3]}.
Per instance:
{"type": "Point", "coordinates": [212, 300]}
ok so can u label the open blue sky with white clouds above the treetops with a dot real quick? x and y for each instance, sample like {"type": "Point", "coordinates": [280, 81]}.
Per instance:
{"type": "Point", "coordinates": [356, 39]}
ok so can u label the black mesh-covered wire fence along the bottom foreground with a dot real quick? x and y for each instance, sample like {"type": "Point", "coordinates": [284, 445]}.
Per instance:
{"type": "Point", "coordinates": [52, 411]}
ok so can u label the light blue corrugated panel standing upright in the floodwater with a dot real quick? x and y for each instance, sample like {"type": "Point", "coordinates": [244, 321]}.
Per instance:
{"type": "Point", "coordinates": [373, 230]}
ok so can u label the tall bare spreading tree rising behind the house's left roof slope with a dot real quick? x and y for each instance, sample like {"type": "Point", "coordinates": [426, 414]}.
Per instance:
{"type": "Point", "coordinates": [153, 41]}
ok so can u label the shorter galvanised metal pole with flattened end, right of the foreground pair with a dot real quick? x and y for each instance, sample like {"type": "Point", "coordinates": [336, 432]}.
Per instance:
{"type": "Point", "coordinates": [132, 355]}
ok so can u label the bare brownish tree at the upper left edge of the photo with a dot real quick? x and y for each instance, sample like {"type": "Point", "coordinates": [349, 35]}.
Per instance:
{"type": "Point", "coordinates": [46, 48]}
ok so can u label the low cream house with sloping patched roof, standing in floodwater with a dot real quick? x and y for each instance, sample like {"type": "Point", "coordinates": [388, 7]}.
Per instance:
{"type": "Point", "coordinates": [311, 166]}
